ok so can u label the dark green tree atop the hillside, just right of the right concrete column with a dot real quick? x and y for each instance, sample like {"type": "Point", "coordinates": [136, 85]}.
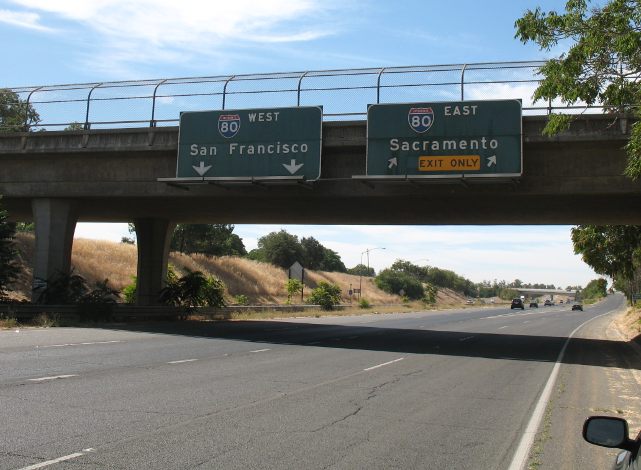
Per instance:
{"type": "Point", "coordinates": [209, 239]}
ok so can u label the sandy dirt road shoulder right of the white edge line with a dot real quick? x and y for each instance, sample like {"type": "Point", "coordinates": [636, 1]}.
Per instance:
{"type": "Point", "coordinates": [600, 374]}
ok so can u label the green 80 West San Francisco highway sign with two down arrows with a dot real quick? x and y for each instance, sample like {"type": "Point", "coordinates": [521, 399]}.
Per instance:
{"type": "Point", "coordinates": [248, 143]}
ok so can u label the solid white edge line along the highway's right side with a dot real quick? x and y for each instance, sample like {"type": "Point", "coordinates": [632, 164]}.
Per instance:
{"type": "Point", "coordinates": [523, 450]}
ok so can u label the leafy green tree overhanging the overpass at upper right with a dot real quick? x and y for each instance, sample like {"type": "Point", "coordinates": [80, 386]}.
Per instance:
{"type": "Point", "coordinates": [602, 66]}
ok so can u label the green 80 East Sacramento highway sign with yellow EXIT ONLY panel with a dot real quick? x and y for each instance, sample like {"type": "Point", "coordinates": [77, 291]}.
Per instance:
{"type": "Point", "coordinates": [445, 139]}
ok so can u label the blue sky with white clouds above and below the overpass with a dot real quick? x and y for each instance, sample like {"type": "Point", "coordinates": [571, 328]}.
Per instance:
{"type": "Point", "coordinates": [76, 41]}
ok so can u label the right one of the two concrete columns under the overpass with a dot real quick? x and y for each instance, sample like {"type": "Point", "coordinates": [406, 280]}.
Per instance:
{"type": "Point", "coordinates": [153, 237]}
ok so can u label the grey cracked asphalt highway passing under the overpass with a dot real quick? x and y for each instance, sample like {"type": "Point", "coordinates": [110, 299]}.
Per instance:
{"type": "Point", "coordinates": [450, 389]}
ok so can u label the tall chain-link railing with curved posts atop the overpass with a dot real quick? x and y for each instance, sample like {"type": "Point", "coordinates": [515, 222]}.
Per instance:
{"type": "Point", "coordinates": [344, 94]}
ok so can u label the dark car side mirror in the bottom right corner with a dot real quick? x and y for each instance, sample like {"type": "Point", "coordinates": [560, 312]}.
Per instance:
{"type": "Point", "coordinates": [612, 432]}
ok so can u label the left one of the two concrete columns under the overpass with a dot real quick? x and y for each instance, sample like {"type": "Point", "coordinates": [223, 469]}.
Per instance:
{"type": "Point", "coordinates": [55, 223]}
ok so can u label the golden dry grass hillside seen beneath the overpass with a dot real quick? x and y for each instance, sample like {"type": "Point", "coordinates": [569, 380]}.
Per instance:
{"type": "Point", "coordinates": [262, 283]}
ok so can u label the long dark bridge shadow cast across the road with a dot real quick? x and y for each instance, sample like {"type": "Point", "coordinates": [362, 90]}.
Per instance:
{"type": "Point", "coordinates": [592, 352]}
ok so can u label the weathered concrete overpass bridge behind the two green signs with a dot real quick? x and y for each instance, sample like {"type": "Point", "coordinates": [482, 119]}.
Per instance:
{"type": "Point", "coordinates": [58, 178]}
